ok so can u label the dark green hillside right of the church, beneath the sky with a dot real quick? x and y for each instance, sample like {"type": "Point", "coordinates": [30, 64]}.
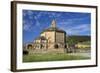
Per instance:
{"type": "Point", "coordinates": [78, 38]}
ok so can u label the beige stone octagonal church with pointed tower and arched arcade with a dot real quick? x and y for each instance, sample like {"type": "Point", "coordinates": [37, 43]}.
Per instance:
{"type": "Point", "coordinates": [52, 39]}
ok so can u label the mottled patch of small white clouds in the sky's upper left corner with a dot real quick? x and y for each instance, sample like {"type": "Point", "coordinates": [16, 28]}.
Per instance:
{"type": "Point", "coordinates": [30, 19]}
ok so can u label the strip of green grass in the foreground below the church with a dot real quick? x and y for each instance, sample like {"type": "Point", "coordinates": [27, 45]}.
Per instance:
{"type": "Point", "coordinates": [51, 57]}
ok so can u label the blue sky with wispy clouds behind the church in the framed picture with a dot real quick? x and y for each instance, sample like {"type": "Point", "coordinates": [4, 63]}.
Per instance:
{"type": "Point", "coordinates": [74, 23]}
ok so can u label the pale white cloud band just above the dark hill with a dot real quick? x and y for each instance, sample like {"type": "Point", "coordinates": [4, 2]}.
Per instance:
{"type": "Point", "coordinates": [78, 30]}
